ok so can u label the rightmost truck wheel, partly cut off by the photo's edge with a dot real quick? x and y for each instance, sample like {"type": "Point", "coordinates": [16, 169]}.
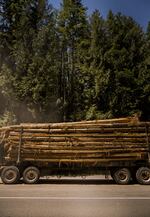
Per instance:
{"type": "Point", "coordinates": [143, 175]}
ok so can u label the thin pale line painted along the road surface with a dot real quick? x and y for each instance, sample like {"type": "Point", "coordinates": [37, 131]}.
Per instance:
{"type": "Point", "coordinates": [76, 198]}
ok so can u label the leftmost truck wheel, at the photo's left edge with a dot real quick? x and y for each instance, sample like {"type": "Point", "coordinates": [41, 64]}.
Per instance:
{"type": "Point", "coordinates": [10, 175]}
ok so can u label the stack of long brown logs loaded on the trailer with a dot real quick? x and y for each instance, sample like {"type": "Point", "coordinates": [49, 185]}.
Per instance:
{"type": "Point", "coordinates": [85, 141]}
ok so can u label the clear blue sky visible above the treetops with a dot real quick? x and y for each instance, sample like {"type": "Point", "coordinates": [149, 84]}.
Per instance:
{"type": "Point", "coordinates": [139, 10]}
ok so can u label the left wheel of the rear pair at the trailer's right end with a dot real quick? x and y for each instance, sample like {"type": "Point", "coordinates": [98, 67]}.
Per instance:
{"type": "Point", "coordinates": [122, 176]}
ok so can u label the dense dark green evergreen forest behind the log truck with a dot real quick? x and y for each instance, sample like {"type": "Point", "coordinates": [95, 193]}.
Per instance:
{"type": "Point", "coordinates": [66, 65]}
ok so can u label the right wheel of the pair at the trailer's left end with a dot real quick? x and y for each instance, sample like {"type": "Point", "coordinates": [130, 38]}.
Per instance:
{"type": "Point", "coordinates": [31, 175]}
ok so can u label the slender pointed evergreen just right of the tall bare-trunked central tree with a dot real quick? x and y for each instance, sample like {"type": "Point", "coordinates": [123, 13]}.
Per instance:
{"type": "Point", "coordinates": [91, 65]}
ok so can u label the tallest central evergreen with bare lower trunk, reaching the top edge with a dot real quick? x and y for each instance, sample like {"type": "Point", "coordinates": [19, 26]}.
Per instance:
{"type": "Point", "coordinates": [72, 28]}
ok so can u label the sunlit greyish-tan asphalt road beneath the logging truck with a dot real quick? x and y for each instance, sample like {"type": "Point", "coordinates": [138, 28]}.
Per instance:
{"type": "Point", "coordinates": [74, 198]}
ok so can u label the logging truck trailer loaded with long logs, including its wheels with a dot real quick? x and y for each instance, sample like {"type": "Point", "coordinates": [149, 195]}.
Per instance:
{"type": "Point", "coordinates": [118, 147]}
